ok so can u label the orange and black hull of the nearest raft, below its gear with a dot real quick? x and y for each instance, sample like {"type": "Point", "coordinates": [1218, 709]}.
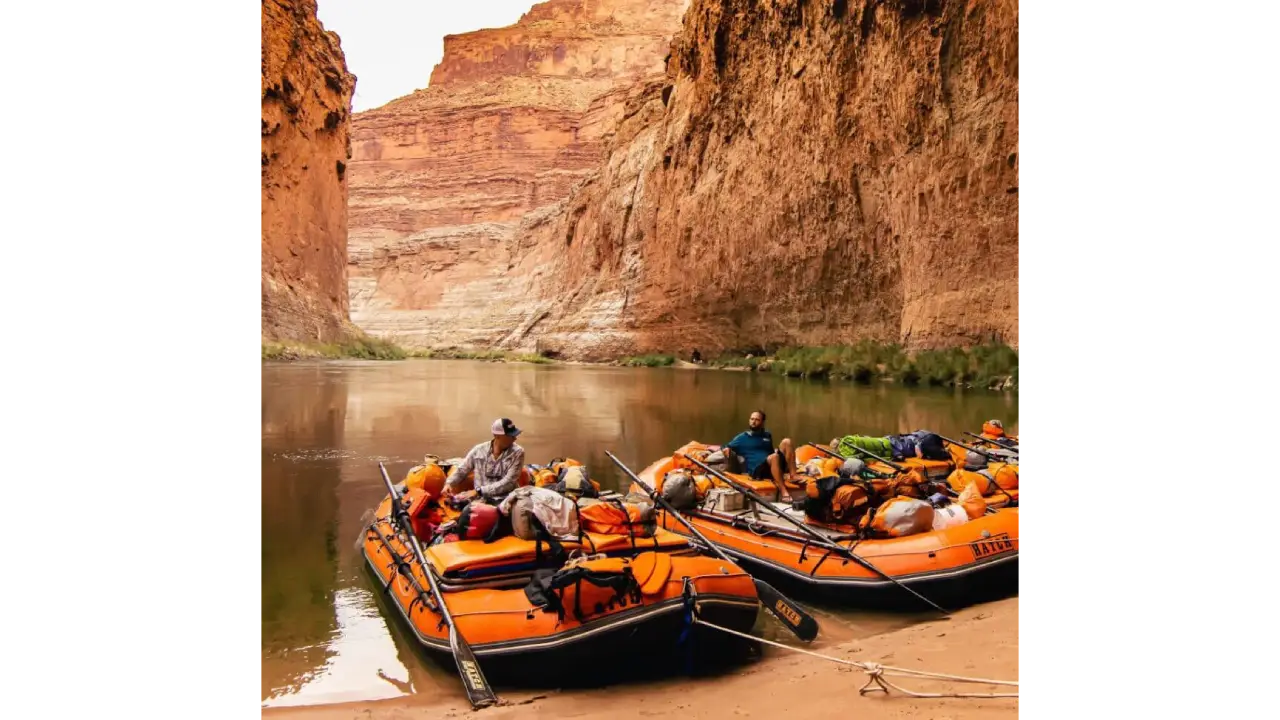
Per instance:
{"type": "Point", "coordinates": [625, 600]}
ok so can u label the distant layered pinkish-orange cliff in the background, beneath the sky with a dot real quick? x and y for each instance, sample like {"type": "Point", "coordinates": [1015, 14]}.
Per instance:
{"type": "Point", "coordinates": [442, 180]}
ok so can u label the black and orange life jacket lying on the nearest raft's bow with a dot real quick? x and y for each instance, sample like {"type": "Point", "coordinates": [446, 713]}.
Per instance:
{"type": "Point", "coordinates": [595, 586]}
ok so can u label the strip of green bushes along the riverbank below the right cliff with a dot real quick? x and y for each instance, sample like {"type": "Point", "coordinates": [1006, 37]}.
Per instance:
{"type": "Point", "coordinates": [985, 366]}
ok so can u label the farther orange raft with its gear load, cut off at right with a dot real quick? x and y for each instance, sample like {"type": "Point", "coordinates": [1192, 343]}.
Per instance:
{"type": "Point", "coordinates": [860, 520]}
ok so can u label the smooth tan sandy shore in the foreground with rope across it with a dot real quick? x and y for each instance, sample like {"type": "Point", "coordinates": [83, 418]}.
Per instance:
{"type": "Point", "coordinates": [982, 641]}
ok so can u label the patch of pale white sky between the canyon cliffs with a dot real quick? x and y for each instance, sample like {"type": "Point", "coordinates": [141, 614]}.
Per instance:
{"type": "Point", "coordinates": [392, 45]}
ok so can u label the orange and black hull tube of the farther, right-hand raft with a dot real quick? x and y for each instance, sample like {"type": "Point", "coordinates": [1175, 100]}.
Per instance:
{"type": "Point", "coordinates": [958, 566]}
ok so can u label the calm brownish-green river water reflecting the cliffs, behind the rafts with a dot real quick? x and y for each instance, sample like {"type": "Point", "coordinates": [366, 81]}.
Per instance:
{"type": "Point", "coordinates": [326, 426]}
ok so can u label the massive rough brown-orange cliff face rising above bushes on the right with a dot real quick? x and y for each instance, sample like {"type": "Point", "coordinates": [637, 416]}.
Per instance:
{"type": "Point", "coordinates": [821, 172]}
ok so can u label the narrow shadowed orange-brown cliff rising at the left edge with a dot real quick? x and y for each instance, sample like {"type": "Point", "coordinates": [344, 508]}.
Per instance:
{"type": "Point", "coordinates": [304, 149]}
